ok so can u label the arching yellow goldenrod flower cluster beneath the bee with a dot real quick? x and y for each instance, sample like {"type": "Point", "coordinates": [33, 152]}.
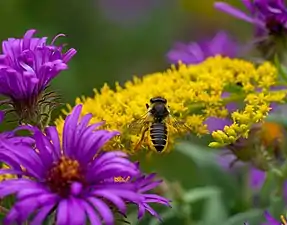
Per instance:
{"type": "Point", "coordinates": [193, 92]}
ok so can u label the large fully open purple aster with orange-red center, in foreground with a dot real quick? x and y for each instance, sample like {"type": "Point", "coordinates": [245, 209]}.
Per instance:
{"type": "Point", "coordinates": [72, 178]}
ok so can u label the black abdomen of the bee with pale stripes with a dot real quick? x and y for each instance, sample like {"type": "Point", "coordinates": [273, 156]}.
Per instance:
{"type": "Point", "coordinates": [158, 135]}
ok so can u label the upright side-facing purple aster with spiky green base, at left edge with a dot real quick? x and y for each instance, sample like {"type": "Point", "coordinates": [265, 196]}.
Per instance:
{"type": "Point", "coordinates": [27, 66]}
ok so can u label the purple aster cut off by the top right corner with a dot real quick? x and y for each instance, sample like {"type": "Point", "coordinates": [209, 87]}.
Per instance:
{"type": "Point", "coordinates": [269, 18]}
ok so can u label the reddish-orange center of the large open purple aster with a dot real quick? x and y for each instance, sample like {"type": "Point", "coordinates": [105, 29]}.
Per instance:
{"type": "Point", "coordinates": [63, 174]}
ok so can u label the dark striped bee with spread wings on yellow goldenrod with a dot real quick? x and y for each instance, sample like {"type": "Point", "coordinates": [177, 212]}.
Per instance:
{"type": "Point", "coordinates": [155, 125]}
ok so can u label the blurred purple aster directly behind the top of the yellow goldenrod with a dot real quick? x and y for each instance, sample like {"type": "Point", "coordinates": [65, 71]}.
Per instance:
{"type": "Point", "coordinates": [193, 53]}
